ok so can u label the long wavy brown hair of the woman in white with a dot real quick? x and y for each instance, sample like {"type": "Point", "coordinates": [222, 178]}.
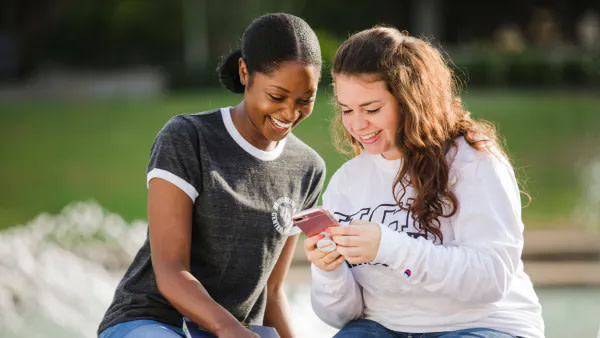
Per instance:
{"type": "Point", "coordinates": [432, 117]}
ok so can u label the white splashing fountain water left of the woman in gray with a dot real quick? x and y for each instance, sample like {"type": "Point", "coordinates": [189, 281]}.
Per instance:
{"type": "Point", "coordinates": [58, 273]}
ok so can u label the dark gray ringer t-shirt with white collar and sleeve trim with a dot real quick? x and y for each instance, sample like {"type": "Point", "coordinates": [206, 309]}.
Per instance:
{"type": "Point", "coordinates": [243, 199]}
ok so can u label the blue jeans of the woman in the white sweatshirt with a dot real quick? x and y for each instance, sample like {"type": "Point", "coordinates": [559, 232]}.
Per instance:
{"type": "Point", "coordinates": [369, 328]}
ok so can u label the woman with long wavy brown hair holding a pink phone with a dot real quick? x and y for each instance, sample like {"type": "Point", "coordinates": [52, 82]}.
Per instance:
{"type": "Point", "coordinates": [430, 207]}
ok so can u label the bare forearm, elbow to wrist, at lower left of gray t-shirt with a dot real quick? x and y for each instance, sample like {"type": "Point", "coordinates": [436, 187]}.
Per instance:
{"type": "Point", "coordinates": [192, 300]}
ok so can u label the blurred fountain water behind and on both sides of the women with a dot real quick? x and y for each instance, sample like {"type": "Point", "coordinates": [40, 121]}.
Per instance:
{"type": "Point", "coordinates": [58, 274]}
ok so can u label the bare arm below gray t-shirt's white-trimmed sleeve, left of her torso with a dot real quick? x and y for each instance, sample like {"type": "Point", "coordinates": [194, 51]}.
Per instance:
{"type": "Point", "coordinates": [170, 222]}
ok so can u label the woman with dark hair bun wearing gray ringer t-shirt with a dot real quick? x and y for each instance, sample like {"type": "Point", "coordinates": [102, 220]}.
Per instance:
{"type": "Point", "coordinates": [222, 185]}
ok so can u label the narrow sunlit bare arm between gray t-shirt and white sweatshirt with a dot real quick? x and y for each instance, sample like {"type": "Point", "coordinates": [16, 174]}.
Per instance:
{"type": "Point", "coordinates": [277, 311]}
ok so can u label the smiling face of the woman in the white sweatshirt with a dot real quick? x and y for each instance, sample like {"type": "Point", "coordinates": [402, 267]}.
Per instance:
{"type": "Point", "coordinates": [370, 113]}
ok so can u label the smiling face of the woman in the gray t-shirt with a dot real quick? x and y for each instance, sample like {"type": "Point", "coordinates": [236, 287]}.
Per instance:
{"type": "Point", "coordinates": [275, 103]}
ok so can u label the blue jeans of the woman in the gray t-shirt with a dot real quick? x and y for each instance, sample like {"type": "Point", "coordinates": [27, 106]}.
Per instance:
{"type": "Point", "coordinates": [142, 328]}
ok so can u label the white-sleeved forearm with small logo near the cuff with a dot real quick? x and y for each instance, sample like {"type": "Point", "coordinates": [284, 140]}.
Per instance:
{"type": "Point", "coordinates": [486, 271]}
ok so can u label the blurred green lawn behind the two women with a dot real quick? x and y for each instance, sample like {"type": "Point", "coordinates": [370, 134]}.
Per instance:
{"type": "Point", "coordinates": [56, 152]}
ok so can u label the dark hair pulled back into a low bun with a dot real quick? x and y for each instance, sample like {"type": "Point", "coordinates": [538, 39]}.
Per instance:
{"type": "Point", "coordinates": [268, 41]}
